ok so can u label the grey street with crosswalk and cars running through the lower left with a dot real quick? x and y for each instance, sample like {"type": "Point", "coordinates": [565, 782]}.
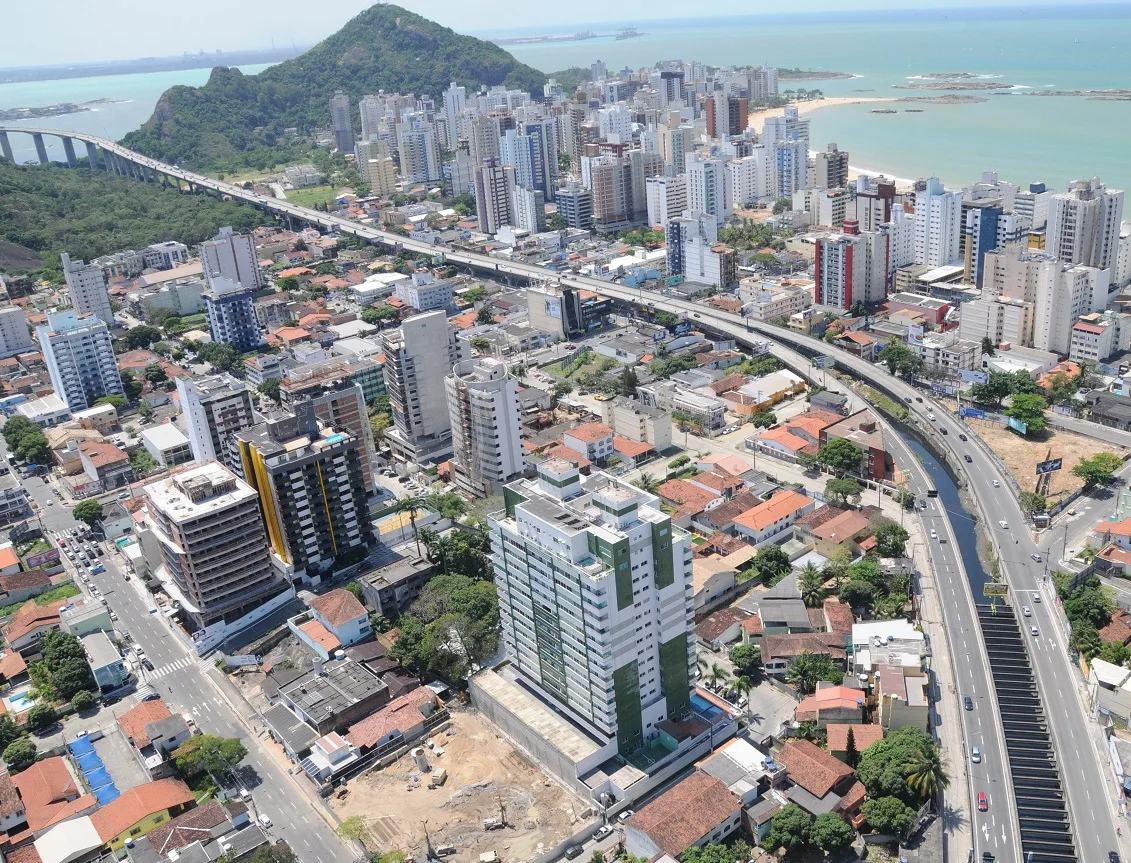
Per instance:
{"type": "Point", "coordinates": [183, 680]}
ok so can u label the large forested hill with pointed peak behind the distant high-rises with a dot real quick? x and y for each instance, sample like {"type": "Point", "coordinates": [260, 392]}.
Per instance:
{"type": "Point", "coordinates": [239, 119]}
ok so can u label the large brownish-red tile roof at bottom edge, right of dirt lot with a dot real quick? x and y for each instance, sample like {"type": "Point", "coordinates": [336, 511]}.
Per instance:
{"type": "Point", "coordinates": [686, 813]}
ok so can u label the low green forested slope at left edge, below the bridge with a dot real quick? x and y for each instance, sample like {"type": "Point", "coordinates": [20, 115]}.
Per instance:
{"type": "Point", "coordinates": [51, 209]}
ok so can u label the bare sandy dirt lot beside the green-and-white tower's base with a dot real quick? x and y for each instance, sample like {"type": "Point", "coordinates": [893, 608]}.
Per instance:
{"type": "Point", "coordinates": [484, 770]}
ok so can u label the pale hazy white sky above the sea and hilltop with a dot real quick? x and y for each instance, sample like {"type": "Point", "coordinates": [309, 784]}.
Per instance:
{"type": "Point", "coordinates": [81, 31]}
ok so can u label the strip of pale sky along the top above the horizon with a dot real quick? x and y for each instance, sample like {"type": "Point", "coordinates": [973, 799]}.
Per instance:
{"type": "Point", "coordinates": [79, 34]}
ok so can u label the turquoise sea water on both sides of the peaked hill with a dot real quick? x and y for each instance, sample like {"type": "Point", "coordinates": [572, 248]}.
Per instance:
{"type": "Point", "coordinates": [1051, 140]}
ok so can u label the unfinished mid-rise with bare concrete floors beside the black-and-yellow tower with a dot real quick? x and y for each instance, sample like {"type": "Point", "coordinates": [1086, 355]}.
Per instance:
{"type": "Point", "coordinates": [214, 556]}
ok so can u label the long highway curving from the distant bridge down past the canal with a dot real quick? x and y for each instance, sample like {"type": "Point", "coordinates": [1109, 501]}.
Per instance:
{"type": "Point", "coordinates": [1090, 790]}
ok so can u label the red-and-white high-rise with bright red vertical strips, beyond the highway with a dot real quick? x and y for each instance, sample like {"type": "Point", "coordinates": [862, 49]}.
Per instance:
{"type": "Point", "coordinates": [851, 267]}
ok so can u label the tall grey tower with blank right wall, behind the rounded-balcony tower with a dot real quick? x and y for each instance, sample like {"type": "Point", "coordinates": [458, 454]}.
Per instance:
{"type": "Point", "coordinates": [418, 358]}
